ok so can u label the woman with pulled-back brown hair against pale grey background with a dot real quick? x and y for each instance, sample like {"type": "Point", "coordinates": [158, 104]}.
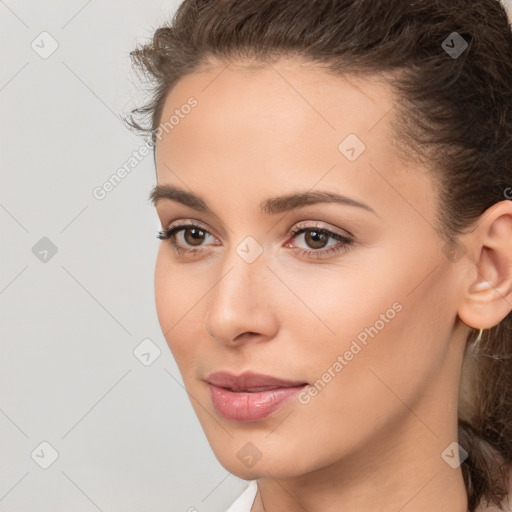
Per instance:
{"type": "Point", "coordinates": [335, 273]}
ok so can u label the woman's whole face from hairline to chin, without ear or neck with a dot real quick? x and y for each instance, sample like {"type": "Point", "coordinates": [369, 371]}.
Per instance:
{"type": "Point", "coordinates": [335, 298]}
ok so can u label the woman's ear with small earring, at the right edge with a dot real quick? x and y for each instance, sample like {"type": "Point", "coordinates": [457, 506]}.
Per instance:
{"type": "Point", "coordinates": [487, 292]}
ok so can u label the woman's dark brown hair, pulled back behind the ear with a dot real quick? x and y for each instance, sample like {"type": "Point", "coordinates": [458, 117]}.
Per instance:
{"type": "Point", "coordinates": [454, 111]}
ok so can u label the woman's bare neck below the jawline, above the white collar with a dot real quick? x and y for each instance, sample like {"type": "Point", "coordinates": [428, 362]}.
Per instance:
{"type": "Point", "coordinates": [401, 470]}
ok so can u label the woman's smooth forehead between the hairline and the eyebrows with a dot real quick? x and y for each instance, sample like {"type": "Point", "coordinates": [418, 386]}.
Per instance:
{"type": "Point", "coordinates": [284, 125]}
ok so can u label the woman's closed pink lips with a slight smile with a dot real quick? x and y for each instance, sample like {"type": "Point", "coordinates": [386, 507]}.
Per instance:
{"type": "Point", "coordinates": [250, 396]}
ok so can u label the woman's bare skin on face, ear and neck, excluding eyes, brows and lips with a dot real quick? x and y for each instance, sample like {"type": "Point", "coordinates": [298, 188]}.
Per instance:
{"type": "Point", "coordinates": [372, 438]}
